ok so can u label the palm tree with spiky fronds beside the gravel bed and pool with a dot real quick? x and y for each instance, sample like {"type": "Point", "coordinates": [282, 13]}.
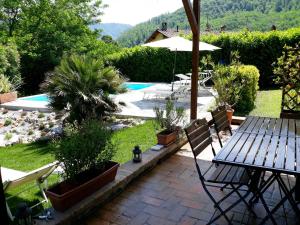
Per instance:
{"type": "Point", "coordinates": [81, 85]}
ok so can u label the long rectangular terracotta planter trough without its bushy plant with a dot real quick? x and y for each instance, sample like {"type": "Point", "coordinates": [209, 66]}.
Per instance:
{"type": "Point", "coordinates": [65, 194]}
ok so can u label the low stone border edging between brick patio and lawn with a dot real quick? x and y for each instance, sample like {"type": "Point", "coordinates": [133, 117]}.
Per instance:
{"type": "Point", "coordinates": [126, 174]}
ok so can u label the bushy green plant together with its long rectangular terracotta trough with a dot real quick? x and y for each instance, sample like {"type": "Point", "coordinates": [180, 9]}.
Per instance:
{"type": "Point", "coordinates": [84, 152]}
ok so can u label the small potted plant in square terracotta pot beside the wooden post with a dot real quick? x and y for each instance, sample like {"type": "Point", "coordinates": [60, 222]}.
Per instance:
{"type": "Point", "coordinates": [168, 119]}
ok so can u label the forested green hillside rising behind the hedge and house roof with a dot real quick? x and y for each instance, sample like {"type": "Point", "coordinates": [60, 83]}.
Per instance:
{"type": "Point", "coordinates": [257, 15]}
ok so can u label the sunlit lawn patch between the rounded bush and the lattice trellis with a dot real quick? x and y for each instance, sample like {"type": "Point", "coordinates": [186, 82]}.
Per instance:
{"type": "Point", "coordinates": [267, 104]}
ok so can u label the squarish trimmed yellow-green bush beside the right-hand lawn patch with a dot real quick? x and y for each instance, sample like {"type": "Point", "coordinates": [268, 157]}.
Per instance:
{"type": "Point", "coordinates": [237, 85]}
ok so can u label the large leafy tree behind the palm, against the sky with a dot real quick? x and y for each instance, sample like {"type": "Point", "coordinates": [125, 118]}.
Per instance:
{"type": "Point", "coordinates": [44, 30]}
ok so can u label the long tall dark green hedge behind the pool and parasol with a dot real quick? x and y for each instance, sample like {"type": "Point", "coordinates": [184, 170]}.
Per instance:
{"type": "Point", "coordinates": [256, 48]}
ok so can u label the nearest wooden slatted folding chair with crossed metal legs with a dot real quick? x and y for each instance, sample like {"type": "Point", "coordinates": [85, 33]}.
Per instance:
{"type": "Point", "coordinates": [233, 177]}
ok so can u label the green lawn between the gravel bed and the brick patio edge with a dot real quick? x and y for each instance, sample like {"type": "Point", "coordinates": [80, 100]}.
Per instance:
{"type": "Point", "coordinates": [26, 157]}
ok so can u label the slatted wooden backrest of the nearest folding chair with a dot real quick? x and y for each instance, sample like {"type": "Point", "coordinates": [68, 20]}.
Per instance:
{"type": "Point", "coordinates": [198, 135]}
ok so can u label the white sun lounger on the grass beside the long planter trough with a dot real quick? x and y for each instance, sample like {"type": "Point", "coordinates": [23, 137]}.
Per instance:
{"type": "Point", "coordinates": [39, 175]}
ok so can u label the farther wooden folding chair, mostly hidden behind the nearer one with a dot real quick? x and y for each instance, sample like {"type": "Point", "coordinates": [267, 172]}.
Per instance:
{"type": "Point", "coordinates": [220, 121]}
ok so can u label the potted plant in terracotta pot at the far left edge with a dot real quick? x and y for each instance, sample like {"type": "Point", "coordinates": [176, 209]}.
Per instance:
{"type": "Point", "coordinates": [7, 90]}
